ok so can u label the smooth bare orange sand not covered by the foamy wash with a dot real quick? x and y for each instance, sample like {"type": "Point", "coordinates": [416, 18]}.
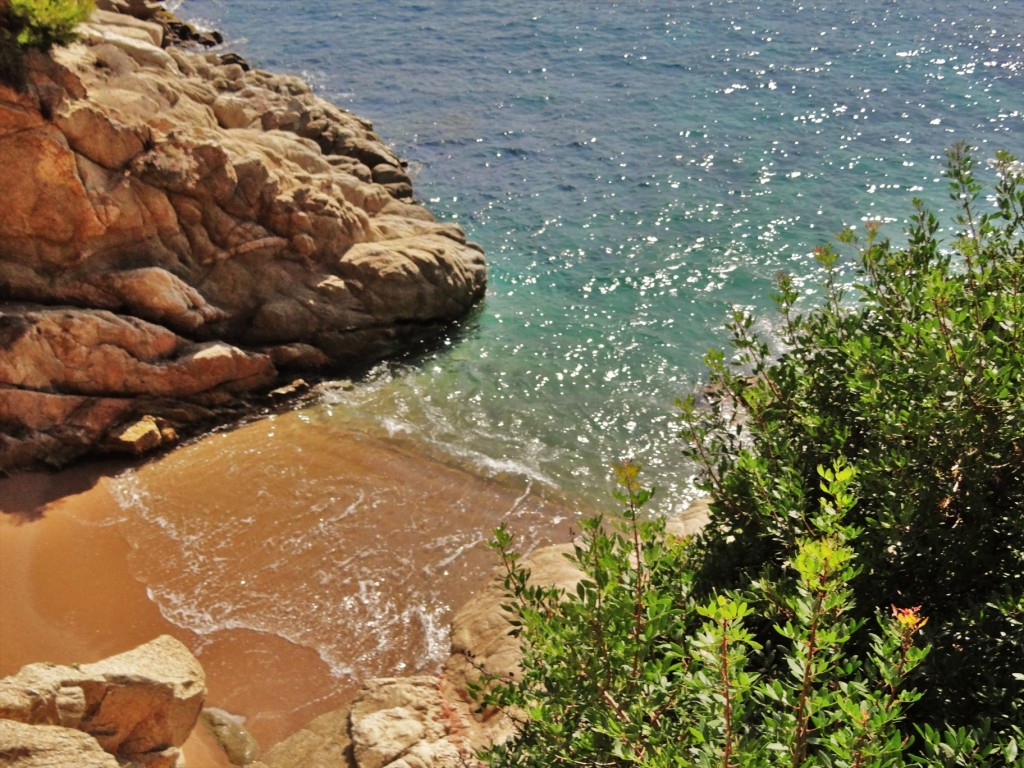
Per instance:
{"type": "Point", "coordinates": [68, 596]}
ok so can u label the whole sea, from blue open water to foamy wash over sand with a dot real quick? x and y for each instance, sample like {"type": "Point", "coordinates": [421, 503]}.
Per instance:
{"type": "Point", "coordinates": [635, 173]}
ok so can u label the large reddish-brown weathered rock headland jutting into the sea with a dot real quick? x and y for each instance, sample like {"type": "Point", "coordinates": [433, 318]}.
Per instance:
{"type": "Point", "coordinates": [187, 229]}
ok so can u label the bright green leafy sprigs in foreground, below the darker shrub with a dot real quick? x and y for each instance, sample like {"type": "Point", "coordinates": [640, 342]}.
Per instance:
{"type": "Point", "coordinates": [635, 668]}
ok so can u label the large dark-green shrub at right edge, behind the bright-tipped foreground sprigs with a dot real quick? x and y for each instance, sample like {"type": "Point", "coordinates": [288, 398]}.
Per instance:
{"type": "Point", "coordinates": [921, 388]}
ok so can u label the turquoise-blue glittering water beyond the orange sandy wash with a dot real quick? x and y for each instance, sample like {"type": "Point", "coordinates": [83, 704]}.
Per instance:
{"type": "Point", "coordinates": [633, 170]}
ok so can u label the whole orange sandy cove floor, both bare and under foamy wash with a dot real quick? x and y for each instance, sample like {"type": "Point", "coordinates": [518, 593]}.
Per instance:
{"type": "Point", "coordinates": [293, 567]}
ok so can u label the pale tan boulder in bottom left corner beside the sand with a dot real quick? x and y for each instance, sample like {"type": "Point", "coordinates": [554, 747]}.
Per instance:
{"type": "Point", "coordinates": [139, 707]}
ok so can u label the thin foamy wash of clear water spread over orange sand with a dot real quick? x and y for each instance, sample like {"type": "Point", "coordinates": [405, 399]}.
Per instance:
{"type": "Point", "coordinates": [339, 543]}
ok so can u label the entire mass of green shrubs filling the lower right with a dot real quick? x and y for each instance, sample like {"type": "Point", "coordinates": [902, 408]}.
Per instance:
{"type": "Point", "coordinates": [859, 596]}
